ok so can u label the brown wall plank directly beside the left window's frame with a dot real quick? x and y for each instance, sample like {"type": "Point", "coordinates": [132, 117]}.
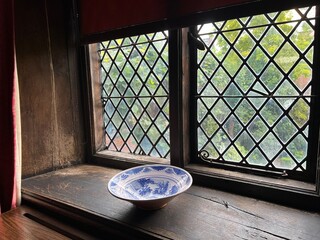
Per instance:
{"type": "Point", "coordinates": [68, 134]}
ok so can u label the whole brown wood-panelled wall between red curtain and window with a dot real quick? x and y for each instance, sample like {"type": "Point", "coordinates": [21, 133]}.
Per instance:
{"type": "Point", "coordinates": [52, 130]}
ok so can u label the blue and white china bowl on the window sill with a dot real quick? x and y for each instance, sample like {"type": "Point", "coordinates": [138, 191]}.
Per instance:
{"type": "Point", "coordinates": [150, 186]}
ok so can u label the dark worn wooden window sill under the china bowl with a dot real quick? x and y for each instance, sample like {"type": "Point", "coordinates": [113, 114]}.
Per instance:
{"type": "Point", "coordinates": [80, 193]}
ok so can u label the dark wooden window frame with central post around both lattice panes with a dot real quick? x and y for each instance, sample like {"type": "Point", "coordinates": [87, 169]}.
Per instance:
{"type": "Point", "coordinates": [288, 192]}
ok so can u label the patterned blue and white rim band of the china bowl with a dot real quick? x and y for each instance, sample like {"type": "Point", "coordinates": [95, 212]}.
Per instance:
{"type": "Point", "coordinates": [186, 187]}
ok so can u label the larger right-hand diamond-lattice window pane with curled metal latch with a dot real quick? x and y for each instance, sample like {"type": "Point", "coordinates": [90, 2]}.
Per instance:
{"type": "Point", "coordinates": [254, 83]}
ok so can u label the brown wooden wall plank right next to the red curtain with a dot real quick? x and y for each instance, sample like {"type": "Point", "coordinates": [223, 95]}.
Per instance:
{"type": "Point", "coordinates": [34, 73]}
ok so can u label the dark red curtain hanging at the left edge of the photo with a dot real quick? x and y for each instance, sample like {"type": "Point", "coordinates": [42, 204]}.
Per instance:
{"type": "Point", "coordinates": [7, 107]}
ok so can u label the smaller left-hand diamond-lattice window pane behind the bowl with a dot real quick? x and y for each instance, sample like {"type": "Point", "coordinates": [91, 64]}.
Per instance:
{"type": "Point", "coordinates": [134, 76]}
